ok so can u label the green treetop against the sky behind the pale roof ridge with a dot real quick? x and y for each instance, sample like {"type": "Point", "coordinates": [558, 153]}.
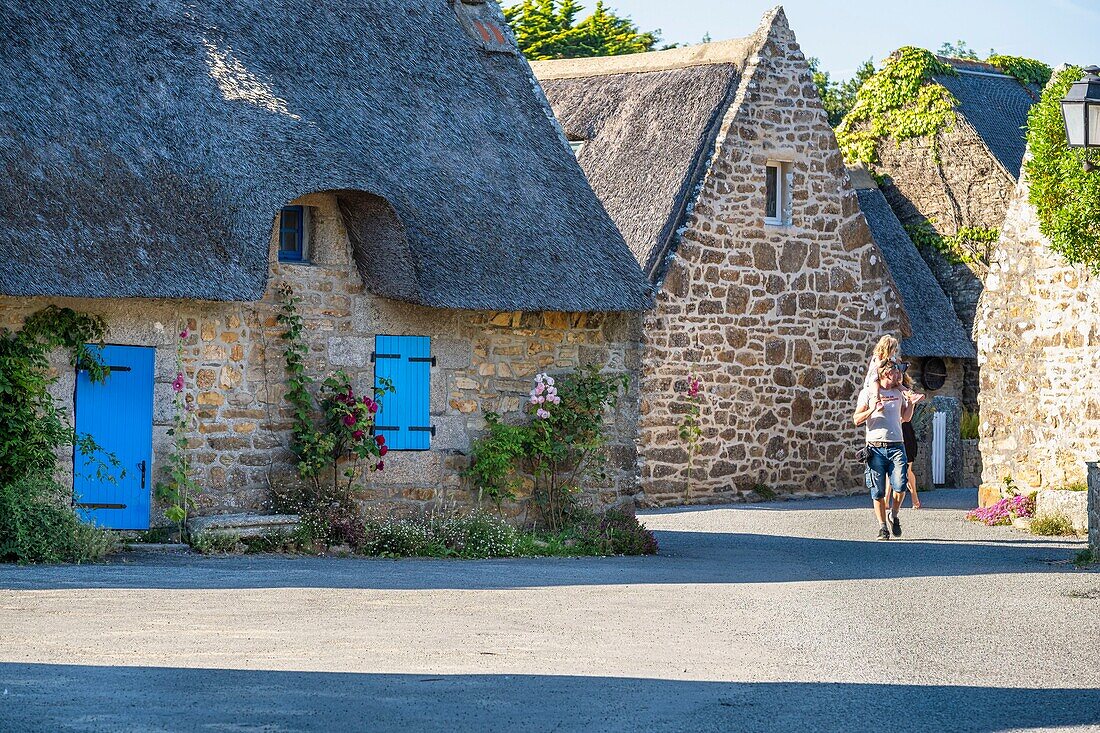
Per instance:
{"type": "Point", "coordinates": [549, 29]}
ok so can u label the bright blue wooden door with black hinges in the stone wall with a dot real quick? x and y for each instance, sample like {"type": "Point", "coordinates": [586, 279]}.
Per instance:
{"type": "Point", "coordinates": [118, 414]}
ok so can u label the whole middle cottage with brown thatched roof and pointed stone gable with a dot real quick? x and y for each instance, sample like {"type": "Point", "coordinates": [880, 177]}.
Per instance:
{"type": "Point", "coordinates": [719, 166]}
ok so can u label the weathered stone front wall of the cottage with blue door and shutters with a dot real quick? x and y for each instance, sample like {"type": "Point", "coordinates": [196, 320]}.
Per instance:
{"type": "Point", "coordinates": [234, 362]}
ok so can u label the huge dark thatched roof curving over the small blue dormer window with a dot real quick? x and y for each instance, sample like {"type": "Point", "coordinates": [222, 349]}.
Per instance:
{"type": "Point", "coordinates": [148, 148]}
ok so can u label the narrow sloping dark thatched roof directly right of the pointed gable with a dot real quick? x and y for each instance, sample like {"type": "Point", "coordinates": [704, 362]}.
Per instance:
{"type": "Point", "coordinates": [937, 330]}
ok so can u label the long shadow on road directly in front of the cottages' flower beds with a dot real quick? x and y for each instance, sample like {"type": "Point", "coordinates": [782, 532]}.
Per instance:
{"type": "Point", "coordinates": [687, 557]}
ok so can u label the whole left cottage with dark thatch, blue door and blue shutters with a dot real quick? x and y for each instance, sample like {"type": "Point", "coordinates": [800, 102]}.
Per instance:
{"type": "Point", "coordinates": [173, 167]}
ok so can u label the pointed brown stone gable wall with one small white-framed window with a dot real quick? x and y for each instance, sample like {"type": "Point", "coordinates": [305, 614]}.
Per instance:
{"type": "Point", "coordinates": [779, 322]}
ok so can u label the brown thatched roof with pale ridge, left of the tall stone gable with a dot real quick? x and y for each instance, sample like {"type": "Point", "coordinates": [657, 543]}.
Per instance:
{"type": "Point", "coordinates": [650, 123]}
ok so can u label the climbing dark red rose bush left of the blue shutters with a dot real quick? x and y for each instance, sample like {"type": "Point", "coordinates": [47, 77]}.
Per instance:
{"type": "Point", "coordinates": [337, 451]}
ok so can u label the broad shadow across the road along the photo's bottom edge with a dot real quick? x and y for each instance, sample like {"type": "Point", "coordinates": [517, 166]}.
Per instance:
{"type": "Point", "coordinates": [62, 697]}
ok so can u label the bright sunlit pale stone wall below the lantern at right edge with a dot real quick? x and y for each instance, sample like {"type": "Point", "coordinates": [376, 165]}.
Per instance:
{"type": "Point", "coordinates": [1039, 344]}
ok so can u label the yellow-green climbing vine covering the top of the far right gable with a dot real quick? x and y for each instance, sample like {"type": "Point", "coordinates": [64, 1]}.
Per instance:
{"type": "Point", "coordinates": [899, 103]}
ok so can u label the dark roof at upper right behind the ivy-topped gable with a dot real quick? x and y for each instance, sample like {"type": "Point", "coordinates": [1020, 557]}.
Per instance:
{"type": "Point", "coordinates": [995, 105]}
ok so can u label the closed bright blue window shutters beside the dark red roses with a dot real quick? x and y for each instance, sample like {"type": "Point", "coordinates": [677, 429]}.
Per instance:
{"type": "Point", "coordinates": [404, 418]}
